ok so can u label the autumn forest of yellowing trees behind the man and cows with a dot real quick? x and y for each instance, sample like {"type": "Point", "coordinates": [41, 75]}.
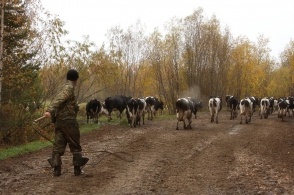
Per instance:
{"type": "Point", "coordinates": [195, 57]}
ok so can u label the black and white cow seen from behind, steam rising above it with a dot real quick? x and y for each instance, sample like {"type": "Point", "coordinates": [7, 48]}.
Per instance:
{"type": "Point", "coordinates": [184, 109]}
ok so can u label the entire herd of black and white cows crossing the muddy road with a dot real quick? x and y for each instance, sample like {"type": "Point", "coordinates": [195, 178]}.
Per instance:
{"type": "Point", "coordinates": [136, 108]}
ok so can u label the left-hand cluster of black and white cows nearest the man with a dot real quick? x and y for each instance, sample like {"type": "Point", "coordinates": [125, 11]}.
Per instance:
{"type": "Point", "coordinates": [136, 108]}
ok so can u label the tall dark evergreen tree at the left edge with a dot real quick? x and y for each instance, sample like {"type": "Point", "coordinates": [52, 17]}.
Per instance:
{"type": "Point", "coordinates": [19, 73]}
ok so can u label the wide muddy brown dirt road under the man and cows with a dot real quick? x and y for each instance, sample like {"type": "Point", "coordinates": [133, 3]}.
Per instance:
{"type": "Point", "coordinates": [224, 158]}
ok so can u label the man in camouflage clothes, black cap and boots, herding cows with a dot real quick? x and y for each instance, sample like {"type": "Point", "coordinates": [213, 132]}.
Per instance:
{"type": "Point", "coordinates": [63, 111]}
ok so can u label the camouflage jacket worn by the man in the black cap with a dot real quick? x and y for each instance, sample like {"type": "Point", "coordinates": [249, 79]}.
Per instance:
{"type": "Point", "coordinates": [64, 106]}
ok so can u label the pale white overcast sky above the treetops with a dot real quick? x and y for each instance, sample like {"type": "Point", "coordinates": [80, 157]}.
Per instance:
{"type": "Point", "coordinates": [272, 18]}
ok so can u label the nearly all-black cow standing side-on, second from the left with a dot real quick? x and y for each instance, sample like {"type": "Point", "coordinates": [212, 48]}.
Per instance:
{"type": "Point", "coordinates": [116, 103]}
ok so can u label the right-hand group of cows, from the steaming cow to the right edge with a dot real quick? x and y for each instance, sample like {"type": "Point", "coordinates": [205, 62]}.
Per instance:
{"type": "Point", "coordinates": [186, 107]}
